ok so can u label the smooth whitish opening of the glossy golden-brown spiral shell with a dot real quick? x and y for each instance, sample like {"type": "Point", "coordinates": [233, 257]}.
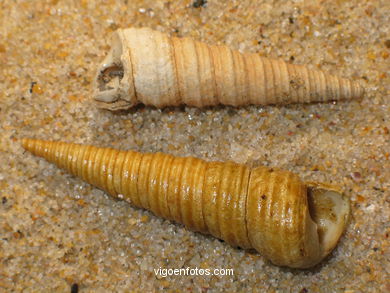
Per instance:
{"type": "Point", "coordinates": [329, 209]}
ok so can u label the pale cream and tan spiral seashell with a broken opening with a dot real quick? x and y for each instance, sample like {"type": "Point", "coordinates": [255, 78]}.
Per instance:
{"type": "Point", "coordinates": [149, 67]}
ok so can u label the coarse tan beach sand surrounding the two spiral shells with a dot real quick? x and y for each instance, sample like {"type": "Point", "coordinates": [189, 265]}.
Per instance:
{"type": "Point", "coordinates": [57, 231]}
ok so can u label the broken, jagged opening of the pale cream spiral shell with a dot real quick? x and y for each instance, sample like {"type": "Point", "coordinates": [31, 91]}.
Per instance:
{"type": "Point", "coordinates": [110, 74]}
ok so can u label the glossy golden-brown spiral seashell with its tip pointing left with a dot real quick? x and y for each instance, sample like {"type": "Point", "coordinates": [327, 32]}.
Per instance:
{"type": "Point", "coordinates": [290, 222]}
